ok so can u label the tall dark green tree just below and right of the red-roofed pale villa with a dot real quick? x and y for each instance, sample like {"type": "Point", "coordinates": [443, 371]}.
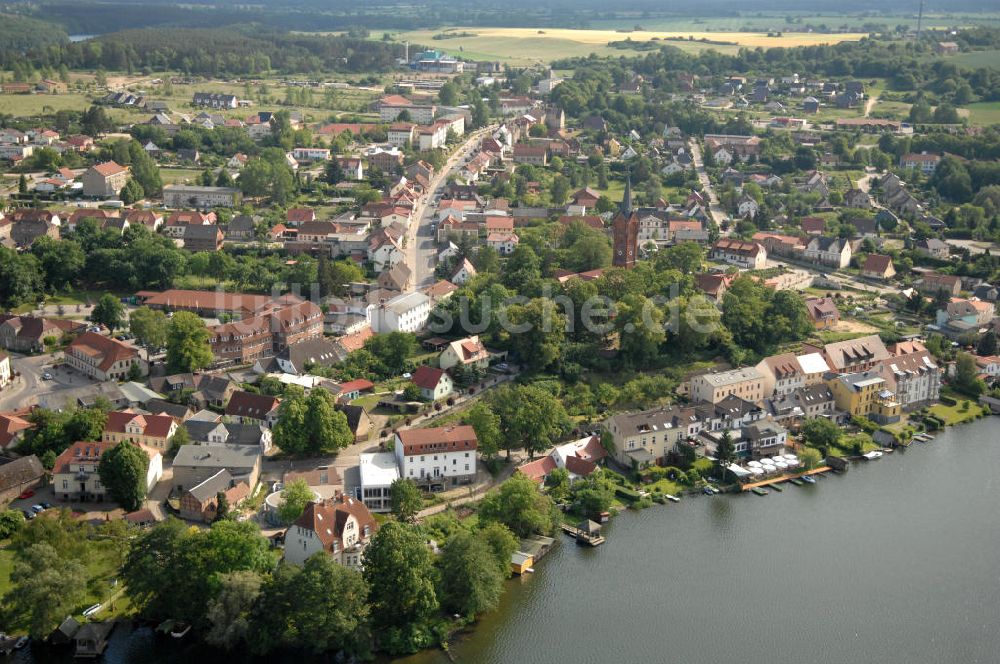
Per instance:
{"type": "Point", "coordinates": [399, 570]}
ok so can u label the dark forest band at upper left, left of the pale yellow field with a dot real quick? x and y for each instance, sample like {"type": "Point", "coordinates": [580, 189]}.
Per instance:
{"type": "Point", "coordinates": [234, 51]}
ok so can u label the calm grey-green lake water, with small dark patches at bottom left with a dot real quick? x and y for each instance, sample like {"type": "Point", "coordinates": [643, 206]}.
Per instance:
{"type": "Point", "coordinates": [897, 560]}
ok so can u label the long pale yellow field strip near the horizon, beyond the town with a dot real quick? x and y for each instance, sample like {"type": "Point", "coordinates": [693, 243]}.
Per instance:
{"type": "Point", "coordinates": [526, 45]}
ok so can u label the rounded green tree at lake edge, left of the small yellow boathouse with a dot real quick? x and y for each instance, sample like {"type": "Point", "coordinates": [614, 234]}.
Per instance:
{"type": "Point", "coordinates": [470, 580]}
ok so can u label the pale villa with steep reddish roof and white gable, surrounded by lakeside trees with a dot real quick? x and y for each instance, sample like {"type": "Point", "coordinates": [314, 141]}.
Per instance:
{"type": "Point", "coordinates": [340, 527]}
